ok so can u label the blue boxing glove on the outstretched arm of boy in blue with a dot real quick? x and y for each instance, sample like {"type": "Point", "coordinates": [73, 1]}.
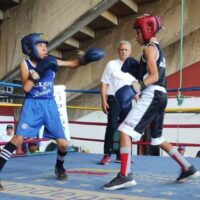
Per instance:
{"type": "Point", "coordinates": [91, 55]}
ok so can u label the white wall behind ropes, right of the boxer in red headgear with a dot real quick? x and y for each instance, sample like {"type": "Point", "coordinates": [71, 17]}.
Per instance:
{"type": "Point", "coordinates": [183, 135]}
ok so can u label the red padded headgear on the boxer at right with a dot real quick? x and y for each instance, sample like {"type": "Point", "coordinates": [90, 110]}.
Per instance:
{"type": "Point", "coordinates": [145, 21]}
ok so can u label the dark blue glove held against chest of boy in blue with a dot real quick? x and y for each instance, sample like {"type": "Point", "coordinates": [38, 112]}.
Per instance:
{"type": "Point", "coordinates": [49, 62]}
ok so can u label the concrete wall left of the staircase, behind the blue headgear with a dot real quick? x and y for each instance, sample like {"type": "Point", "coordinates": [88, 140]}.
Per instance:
{"type": "Point", "coordinates": [45, 16]}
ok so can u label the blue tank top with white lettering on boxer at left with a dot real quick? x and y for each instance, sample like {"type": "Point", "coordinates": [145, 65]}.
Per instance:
{"type": "Point", "coordinates": [44, 89]}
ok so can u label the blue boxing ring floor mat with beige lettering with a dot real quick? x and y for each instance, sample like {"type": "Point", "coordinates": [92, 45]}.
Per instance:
{"type": "Point", "coordinates": [32, 178]}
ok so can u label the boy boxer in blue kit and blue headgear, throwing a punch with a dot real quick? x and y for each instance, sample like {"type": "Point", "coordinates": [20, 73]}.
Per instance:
{"type": "Point", "coordinates": [39, 107]}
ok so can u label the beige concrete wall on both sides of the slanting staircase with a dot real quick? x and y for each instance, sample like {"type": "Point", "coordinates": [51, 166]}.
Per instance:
{"type": "Point", "coordinates": [54, 17]}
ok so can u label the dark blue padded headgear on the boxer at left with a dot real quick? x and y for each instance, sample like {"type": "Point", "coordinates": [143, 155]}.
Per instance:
{"type": "Point", "coordinates": [29, 43]}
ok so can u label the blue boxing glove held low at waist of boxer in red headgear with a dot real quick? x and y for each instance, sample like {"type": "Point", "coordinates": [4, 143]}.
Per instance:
{"type": "Point", "coordinates": [124, 96]}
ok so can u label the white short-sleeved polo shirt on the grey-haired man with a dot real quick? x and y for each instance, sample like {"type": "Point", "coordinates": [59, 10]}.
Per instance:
{"type": "Point", "coordinates": [114, 77]}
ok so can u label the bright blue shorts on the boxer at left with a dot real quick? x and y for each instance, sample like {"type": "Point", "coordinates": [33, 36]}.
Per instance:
{"type": "Point", "coordinates": [38, 112]}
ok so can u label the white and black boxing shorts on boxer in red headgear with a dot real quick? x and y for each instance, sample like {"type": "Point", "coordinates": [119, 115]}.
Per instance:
{"type": "Point", "coordinates": [149, 110]}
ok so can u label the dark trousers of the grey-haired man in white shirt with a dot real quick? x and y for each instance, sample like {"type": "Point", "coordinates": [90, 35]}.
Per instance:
{"type": "Point", "coordinates": [115, 116]}
